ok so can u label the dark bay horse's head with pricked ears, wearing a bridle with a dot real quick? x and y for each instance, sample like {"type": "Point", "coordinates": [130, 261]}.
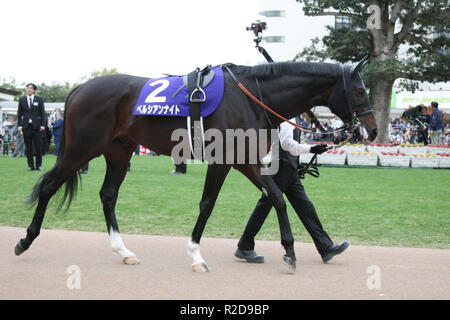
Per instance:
{"type": "Point", "coordinates": [349, 101]}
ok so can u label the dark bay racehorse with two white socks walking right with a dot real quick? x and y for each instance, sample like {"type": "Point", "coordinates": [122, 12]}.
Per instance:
{"type": "Point", "coordinates": [99, 120]}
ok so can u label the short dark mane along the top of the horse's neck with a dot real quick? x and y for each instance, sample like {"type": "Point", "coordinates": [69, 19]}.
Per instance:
{"type": "Point", "coordinates": [277, 69]}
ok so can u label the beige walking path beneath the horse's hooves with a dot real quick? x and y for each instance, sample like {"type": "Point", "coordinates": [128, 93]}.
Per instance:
{"type": "Point", "coordinates": [165, 273]}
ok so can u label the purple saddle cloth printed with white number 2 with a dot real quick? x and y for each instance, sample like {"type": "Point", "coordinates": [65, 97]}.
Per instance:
{"type": "Point", "coordinates": [168, 96]}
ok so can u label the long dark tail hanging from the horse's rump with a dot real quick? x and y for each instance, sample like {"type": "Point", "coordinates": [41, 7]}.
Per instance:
{"type": "Point", "coordinates": [71, 183]}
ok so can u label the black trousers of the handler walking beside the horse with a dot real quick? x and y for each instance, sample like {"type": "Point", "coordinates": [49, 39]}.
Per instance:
{"type": "Point", "coordinates": [287, 180]}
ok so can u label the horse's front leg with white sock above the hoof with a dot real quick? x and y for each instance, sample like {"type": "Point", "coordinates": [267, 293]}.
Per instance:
{"type": "Point", "coordinates": [215, 176]}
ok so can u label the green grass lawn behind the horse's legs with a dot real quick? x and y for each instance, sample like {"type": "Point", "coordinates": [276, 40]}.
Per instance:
{"type": "Point", "coordinates": [389, 207]}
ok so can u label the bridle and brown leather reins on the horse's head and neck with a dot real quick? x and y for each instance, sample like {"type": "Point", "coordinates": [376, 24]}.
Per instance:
{"type": "Point", "coordinates": [350, 126]}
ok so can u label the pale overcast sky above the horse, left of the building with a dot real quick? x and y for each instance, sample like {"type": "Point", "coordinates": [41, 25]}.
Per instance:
{"type": "Point", "coordinates": [56, 41]}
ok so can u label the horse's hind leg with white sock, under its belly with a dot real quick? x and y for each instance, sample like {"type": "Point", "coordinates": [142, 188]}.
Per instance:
{"type": "Point", "coordinates": [117, 159]}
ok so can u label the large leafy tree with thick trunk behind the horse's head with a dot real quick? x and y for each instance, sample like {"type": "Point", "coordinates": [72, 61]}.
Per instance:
{"type": "Point", "coordinates": [384, 29]}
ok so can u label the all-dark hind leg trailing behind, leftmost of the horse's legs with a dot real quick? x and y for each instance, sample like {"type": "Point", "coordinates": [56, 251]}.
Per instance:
{"type": "Point", "coordinates": [52, 180]}
